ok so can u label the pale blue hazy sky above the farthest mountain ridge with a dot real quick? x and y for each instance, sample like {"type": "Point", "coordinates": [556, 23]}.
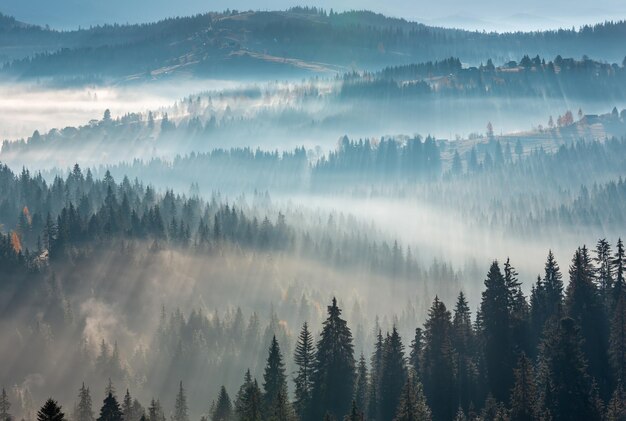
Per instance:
{"type": "Point", "coordinates": [480, 14]}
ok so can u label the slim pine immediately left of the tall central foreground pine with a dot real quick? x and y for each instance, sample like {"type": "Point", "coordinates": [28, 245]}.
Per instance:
{"type": "Point", "coordinates": [304, 358]}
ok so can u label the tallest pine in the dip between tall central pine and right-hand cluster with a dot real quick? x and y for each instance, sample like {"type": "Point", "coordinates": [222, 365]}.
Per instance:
{"type": "Point", "coordinates": [394, 375]}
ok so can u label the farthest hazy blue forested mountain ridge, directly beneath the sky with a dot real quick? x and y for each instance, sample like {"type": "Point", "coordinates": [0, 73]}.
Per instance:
{"type": "Point", "coordinates": [275, 43]}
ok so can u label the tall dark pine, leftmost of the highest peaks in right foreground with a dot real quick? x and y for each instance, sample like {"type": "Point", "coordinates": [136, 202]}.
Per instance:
{"type": "Point", "coordinates": [496, 323]}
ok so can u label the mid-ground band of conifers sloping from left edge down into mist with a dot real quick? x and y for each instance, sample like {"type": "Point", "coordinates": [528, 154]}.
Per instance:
{"type": "Point", "coordinates": [73, 217]}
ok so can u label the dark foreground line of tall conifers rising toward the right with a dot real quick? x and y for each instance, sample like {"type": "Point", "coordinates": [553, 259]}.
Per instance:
{"type": "Point", "coordinates": [558, 354]}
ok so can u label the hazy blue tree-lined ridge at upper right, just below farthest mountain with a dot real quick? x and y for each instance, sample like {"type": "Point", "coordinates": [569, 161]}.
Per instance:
{"type": "Point", "coordinates": [530, 77]}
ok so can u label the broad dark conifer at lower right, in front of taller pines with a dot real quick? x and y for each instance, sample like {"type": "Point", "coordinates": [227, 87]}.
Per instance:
{"type": "Point", "coordinates": [566, 387]}
